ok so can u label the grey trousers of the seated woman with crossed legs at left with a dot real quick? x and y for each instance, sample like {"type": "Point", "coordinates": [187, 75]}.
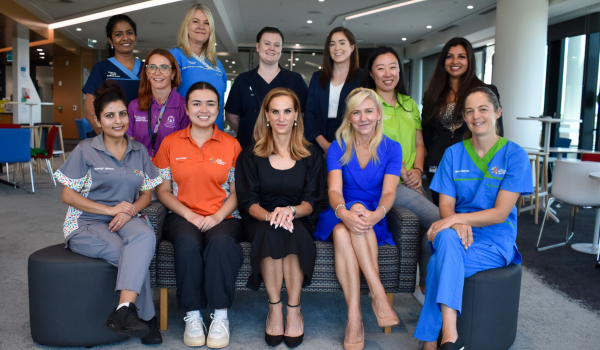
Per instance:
{"type": "Point", "coordinates": [130, 249]}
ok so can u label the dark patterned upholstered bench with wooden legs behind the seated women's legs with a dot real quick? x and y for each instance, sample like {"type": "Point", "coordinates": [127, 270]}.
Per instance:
{"type": "Point", "coordinates": [397, 264]}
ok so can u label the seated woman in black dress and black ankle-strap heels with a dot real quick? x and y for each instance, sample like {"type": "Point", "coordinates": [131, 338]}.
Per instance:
{"type": "Point", "coordinates": [280, 180]}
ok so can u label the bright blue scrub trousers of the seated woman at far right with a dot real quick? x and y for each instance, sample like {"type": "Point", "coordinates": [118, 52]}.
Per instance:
{"type": "Point", "coordinates": [448, 267]}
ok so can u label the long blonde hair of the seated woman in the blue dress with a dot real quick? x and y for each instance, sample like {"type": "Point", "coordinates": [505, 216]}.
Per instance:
{"type": "Point", "coordinates": [346, 132]}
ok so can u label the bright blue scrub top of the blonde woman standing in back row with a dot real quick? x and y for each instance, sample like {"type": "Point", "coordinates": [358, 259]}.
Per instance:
{"type": "Point", "coordinates": [197, 68]}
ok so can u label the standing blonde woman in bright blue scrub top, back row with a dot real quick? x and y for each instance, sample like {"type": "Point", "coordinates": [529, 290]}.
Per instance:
{"type": "Point", "coordinates": [196, 54]}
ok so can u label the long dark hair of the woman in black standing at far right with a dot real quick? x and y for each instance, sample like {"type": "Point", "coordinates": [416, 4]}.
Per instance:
{"type": "Point", "coordinates": [439, 84]}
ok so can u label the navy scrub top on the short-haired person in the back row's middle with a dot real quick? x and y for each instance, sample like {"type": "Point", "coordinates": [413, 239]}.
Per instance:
{"type": "Point", "coordinates": [248, 92]}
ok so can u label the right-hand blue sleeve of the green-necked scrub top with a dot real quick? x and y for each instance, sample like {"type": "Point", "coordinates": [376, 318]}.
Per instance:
{"type": "Point", "coordinates": [518, 173]}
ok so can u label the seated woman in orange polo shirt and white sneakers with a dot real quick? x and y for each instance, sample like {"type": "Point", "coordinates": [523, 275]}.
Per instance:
{"type": "Point", "coordinates": [198, 168]}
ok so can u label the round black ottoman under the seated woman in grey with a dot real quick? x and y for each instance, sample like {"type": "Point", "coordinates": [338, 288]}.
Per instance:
{"type": "Point", "coordinates": [70, 297]}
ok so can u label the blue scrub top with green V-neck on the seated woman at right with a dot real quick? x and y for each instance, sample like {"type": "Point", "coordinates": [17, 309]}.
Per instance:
{"type": "Point", "coordinates": [475, 183]}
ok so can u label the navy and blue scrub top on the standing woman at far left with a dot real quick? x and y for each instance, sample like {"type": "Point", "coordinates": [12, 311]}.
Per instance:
{"type": "Point", "coordinates": [113, 69]}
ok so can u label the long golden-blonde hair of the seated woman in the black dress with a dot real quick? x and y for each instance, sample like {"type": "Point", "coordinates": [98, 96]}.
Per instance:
{"type": "Point", "coordinates": [263, 134]}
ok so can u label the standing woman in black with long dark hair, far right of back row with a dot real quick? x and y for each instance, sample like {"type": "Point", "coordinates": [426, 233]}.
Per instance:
{"type": "Point", "coordinates": [443, 124]}
